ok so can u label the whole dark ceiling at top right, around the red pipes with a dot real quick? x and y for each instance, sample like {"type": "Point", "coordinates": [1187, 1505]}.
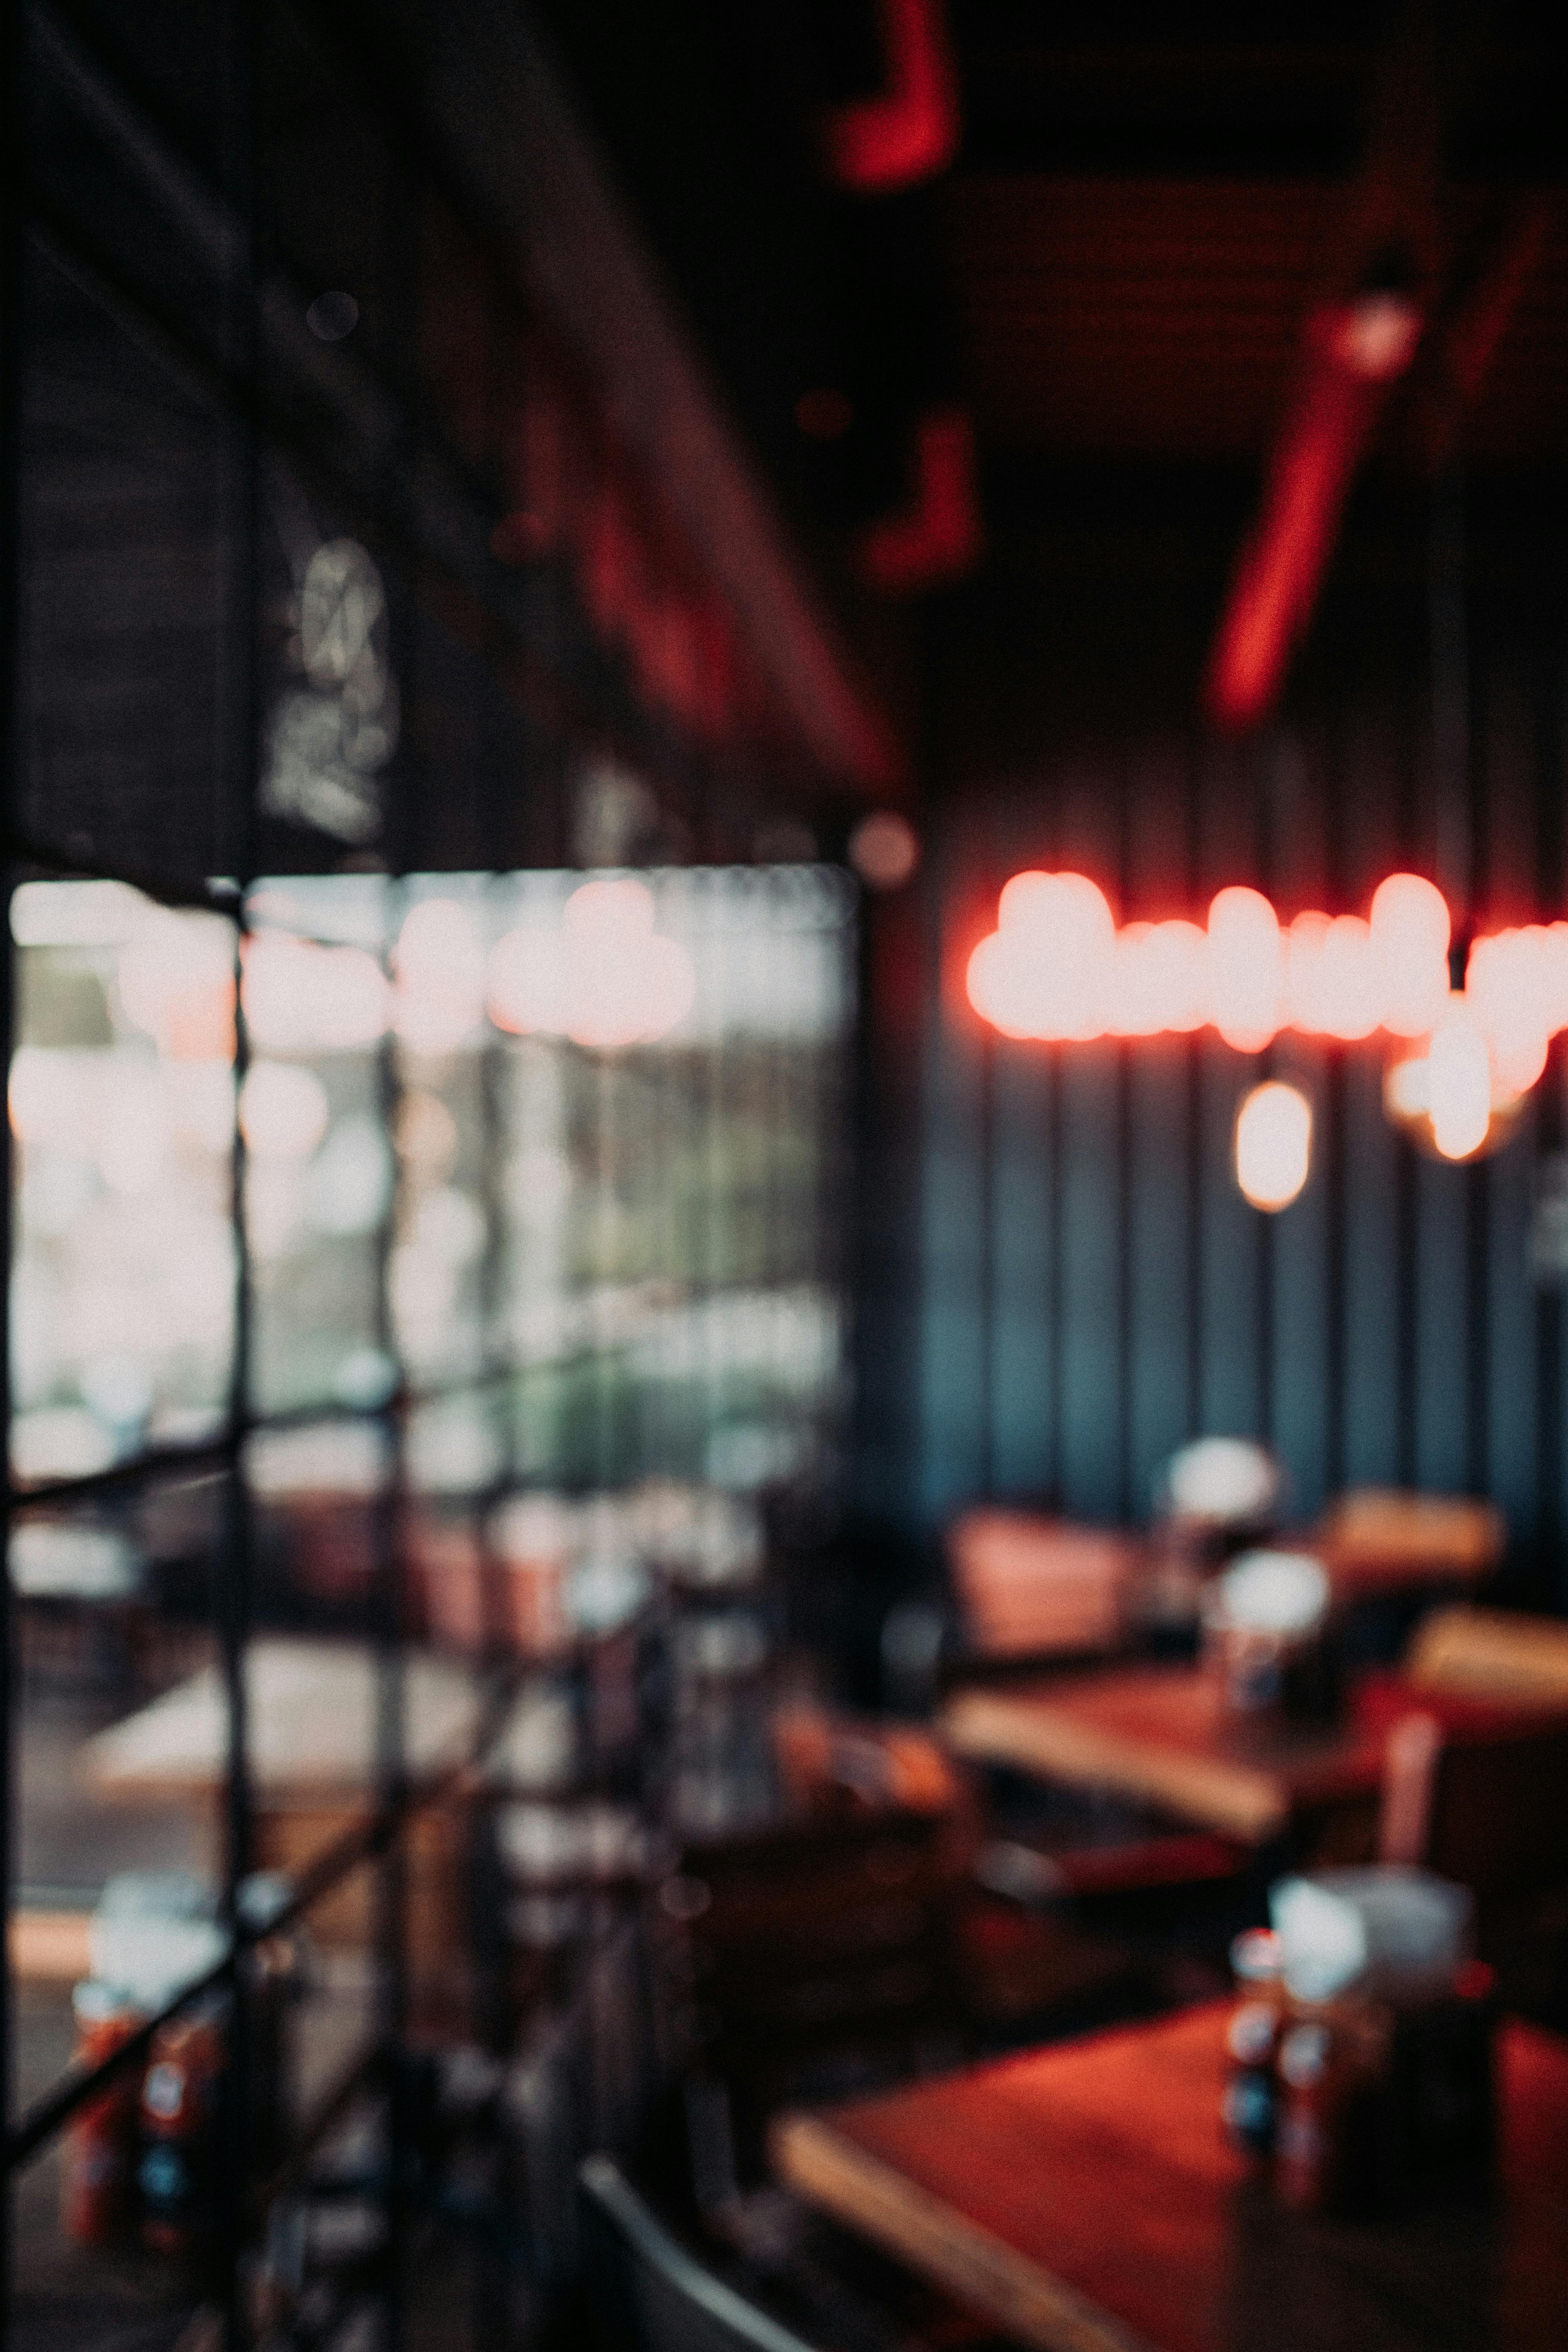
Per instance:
{"type": "Point", "coordinates": [1120, 262]}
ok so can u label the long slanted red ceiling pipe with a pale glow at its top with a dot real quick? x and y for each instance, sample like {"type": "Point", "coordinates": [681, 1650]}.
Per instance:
{"type": "Point", "coordinates": [1353, 356]}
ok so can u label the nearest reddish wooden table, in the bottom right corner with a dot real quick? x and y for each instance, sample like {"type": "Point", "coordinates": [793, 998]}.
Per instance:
{"type": "Point", "coordinates": [1083, 2198]}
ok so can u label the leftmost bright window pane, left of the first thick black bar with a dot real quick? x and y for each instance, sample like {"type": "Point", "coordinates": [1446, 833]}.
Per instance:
{"type": "Point", "coordinates": [121, 1093]}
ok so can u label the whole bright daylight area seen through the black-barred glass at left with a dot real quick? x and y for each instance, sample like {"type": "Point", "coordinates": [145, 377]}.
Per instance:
{"type": "Point", "coordinates": [126, 1121]}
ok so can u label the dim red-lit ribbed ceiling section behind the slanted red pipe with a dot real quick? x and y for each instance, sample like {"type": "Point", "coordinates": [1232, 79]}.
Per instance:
{"type": "Point", "coordinates": [1155, 316]}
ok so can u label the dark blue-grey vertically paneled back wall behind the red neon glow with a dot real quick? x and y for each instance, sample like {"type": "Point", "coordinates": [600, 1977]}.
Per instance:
{"type": "Point", "coordinates": [1061, 1278]}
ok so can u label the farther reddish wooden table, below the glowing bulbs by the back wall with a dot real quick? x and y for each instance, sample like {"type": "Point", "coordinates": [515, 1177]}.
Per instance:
{"type": "Point", "coordinates": [1162, 1737]}
